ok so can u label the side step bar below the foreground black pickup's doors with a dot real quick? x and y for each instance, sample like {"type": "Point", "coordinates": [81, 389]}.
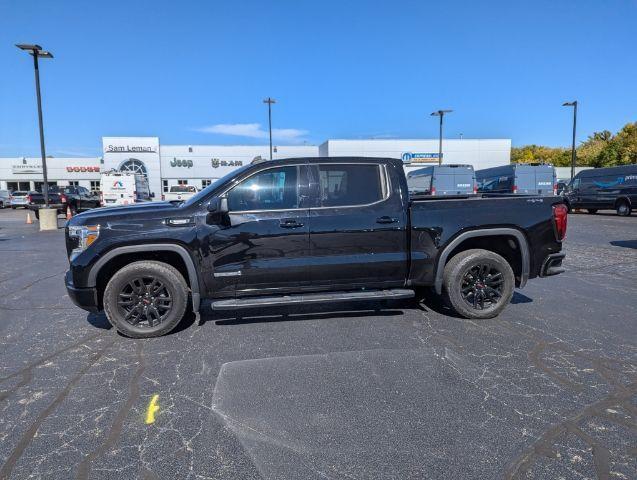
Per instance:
{"type": "Point", "coordinates": [297, 299]}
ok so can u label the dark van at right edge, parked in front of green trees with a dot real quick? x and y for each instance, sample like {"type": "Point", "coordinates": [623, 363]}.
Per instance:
{"type": "Point", "coordinates": [613, 188]}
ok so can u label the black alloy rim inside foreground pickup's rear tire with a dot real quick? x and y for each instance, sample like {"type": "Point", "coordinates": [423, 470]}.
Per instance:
{"type": "Point", "coordinates": [482, 286]}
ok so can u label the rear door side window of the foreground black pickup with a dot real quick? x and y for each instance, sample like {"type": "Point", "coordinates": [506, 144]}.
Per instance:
{"type": "Point", "coordinates": [350, 185]}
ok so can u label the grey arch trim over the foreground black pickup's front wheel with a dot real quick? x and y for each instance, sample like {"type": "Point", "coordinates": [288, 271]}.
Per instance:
{"type": "Point", "coordinates": [141, 252]}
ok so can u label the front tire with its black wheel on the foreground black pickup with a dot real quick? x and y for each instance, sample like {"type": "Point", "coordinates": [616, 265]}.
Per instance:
{"type": "Point", "coordinates": [125, 285]}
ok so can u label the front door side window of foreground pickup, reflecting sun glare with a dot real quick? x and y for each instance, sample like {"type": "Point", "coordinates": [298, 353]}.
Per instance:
{"type": "Point", "coordinates": [272, 189]}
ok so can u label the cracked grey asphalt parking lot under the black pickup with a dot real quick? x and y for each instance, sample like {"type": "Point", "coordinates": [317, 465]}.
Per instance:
{"type": "Point", "coordinates": [405, 390]}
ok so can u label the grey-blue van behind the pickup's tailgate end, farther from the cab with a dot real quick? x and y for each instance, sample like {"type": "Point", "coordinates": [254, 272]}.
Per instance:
{"type": "Point", "coordinates": [518, 178]}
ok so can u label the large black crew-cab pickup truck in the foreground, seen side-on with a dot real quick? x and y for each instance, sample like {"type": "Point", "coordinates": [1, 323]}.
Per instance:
{"type": "Point", "coordinates": [308, 230]}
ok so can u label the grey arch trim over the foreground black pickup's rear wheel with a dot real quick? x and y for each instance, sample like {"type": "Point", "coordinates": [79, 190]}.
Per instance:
{"type": "Point", "coordinates": [519, 238]}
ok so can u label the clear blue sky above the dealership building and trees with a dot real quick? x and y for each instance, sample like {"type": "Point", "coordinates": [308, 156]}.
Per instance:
{"type": "Point", "coordinates": [196, 72]}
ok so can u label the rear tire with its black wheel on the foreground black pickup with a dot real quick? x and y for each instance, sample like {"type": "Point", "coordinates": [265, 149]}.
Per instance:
{"type": "Point", "coordinates": [482, 272]}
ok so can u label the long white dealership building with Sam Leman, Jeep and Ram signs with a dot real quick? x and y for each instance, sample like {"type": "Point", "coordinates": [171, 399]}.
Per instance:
{"type": "Point", "coordinates": [199, 165]}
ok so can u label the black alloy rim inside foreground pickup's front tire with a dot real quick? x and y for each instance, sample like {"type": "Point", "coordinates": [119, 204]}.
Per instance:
{"type": "Point", "coordinates": [145, 301]}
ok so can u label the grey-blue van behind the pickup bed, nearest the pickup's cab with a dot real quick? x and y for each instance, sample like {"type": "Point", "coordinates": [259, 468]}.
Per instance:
{"type": "Point", "coordinates": [442, 180]}
